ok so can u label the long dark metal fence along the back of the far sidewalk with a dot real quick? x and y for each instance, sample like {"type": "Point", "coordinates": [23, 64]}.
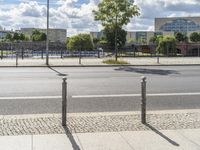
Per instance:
{"type": "Point", "coordinates": [59, 50]}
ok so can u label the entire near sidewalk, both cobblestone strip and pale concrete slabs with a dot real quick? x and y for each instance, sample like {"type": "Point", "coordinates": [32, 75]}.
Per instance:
{"type": "Point", "coordinates": [173, 130]}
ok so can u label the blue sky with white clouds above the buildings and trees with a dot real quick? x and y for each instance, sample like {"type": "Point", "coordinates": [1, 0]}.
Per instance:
{"type": "Point", "coordinates": [76, 15]}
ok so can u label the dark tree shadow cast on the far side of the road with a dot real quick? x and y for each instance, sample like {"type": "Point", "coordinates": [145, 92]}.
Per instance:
{"type": "Point", "coordinates": [147, 71]}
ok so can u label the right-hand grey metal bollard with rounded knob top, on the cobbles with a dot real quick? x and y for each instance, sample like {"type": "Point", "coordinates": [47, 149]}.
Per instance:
{"type": "Point", "coordinates": [143, 100]}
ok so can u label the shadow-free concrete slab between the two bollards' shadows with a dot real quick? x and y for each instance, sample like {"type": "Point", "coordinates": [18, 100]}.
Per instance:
{"type": "Point", "coordinates": [103, 141]}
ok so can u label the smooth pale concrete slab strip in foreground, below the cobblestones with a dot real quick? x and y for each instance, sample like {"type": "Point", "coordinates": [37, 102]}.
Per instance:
{"type": "Point", "coordinates": [188, 139]}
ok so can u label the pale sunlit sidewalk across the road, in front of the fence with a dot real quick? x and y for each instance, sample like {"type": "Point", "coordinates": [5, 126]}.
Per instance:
{"type": "Point", "coordinates": [98, 61]}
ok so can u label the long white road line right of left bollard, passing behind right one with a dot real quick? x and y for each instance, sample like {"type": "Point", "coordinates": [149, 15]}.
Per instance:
{"type": "Point", "coordinates": [136, 95]}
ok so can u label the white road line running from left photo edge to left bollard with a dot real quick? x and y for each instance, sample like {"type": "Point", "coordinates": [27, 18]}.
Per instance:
{"type": "Point", "coordinates": [29, 97]}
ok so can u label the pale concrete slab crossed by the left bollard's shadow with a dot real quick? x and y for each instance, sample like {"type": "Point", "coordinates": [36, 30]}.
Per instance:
{"type": "Point", "coordinates": [55, 142]}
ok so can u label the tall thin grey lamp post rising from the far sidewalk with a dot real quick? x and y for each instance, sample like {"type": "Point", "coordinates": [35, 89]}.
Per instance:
{"type": "Point", "coordinates": [47, 38]}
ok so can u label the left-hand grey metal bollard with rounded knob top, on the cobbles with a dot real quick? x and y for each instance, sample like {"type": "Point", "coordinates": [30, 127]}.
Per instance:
{"type": "Point", "coordinates": [64, 102]}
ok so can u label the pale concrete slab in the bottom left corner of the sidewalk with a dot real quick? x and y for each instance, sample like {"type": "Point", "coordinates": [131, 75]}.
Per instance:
{"type": "Point", "coordinates": [16, 142]}
